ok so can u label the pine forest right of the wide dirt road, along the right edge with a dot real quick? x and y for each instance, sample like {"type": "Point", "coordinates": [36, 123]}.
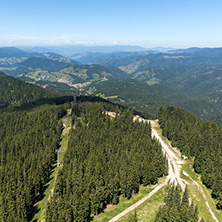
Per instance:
{"type": "Point", "coordinates": [199, 139]}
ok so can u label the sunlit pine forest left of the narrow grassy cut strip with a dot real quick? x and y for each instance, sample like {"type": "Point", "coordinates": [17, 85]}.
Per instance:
{"type": "Point", "coordinates": [28, 139]}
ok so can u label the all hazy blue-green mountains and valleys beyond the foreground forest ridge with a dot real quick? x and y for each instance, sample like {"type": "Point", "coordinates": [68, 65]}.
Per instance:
{"type": "Point", "coordinates": [143, 80]}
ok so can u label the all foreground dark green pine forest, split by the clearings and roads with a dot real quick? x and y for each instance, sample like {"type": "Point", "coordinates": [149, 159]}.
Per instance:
{"type": "Point", "coordinates": [106, 156]}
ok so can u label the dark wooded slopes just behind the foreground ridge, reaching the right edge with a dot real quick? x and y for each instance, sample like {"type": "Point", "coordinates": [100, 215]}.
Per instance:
{"type": "Point", "coordinates": [148, 98]}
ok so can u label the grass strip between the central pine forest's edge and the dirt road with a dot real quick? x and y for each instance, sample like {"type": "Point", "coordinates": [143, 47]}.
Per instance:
{"type": "Point", "coordinates": [114, 210]}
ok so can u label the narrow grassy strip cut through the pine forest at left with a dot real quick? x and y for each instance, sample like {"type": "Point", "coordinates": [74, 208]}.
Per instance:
{"type": "Point", "coordinates": [42, 204]}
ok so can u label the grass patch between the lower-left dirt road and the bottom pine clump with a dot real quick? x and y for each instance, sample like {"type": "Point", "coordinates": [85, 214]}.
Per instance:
{"type": "Point", "coordinates": [147, 210]}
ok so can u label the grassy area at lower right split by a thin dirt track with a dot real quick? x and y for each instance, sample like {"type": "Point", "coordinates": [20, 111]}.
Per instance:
{"type": "Point", "coordinates": [197, 196]}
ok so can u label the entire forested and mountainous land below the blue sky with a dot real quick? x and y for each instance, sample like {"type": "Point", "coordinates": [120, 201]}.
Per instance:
{"type": "Point", "coordinates": [117, 166]}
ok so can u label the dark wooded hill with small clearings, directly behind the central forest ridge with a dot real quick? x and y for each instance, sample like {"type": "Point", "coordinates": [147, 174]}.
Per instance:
{"type": "Point", "coordinates": [136, 94]}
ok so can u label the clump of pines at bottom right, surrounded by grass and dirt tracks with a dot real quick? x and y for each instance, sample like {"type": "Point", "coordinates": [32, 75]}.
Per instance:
{"type": "Point", "coordinates": [177, 206]}
